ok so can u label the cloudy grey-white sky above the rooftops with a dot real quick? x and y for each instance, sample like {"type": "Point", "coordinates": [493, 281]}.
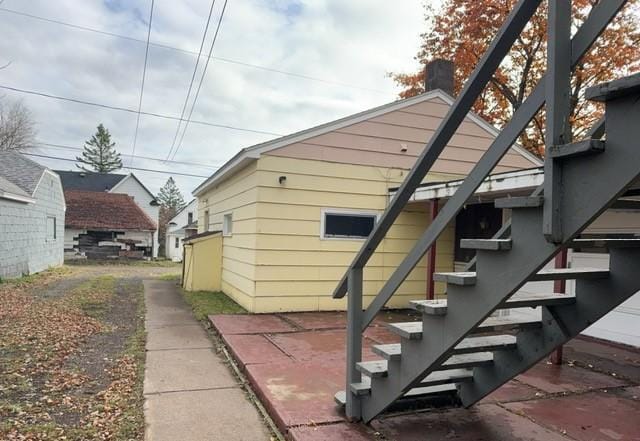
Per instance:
{"type": "Point", "coordinates": [343, 48]}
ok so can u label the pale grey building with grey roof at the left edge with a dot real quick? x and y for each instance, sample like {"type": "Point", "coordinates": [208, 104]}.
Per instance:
{"type": "Point", "coordinates": [32, 215]}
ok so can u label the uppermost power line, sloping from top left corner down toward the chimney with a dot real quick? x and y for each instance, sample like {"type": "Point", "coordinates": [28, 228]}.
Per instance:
{"type": "Point", "coordinates": [186, 51]}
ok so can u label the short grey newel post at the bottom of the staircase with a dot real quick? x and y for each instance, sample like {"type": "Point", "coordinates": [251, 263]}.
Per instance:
{"type": "Point", "coordinates": [354, 341]}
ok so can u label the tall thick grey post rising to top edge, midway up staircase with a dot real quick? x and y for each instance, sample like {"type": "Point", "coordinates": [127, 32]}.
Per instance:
{"type": "Point", "coordinates": [558, 102]}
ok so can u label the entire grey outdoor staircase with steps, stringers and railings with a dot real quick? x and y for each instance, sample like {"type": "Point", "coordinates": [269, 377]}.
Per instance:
{"type": "Point", "coordinates": [458, 346]}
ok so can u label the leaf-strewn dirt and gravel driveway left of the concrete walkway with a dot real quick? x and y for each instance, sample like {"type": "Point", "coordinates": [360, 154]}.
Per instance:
{"type": "Point", "coordinates": [72, 354]}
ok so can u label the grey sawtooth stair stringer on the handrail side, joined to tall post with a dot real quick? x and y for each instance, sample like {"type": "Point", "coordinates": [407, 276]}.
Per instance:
{"type": "Point", "coordinates": [590, 185]}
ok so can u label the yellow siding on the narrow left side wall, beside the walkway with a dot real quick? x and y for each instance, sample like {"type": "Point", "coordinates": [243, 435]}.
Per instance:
{"type": "Point", "coordinates": [238, 196]}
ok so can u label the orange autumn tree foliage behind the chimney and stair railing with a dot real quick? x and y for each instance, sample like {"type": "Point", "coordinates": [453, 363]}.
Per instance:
{"type": "Point", "coordinates": [462, 30]}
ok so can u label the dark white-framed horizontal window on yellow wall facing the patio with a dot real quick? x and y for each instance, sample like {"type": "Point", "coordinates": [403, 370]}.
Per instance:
{"type": "Point", "coordinates": [347, 224]}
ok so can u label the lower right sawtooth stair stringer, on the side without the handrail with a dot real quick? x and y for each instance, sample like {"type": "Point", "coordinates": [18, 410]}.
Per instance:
{"type": "Point", "coordinates": [594, 299]}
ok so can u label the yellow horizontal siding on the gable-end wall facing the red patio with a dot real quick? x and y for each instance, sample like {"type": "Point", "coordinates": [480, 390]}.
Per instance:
{"type": "Point", "coordinates": [297, 270]}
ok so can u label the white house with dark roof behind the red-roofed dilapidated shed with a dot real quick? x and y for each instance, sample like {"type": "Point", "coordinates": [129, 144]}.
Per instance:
{"type": "Point", "coordinates": [112, 183]}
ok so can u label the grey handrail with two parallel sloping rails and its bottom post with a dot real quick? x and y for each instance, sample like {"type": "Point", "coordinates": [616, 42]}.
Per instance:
{"type": "Point", "coordinates": [601, 14]}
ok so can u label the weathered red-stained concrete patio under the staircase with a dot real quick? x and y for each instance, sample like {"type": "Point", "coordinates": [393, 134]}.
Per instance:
{"type": "Point", "coordinates": [296, 362]}
